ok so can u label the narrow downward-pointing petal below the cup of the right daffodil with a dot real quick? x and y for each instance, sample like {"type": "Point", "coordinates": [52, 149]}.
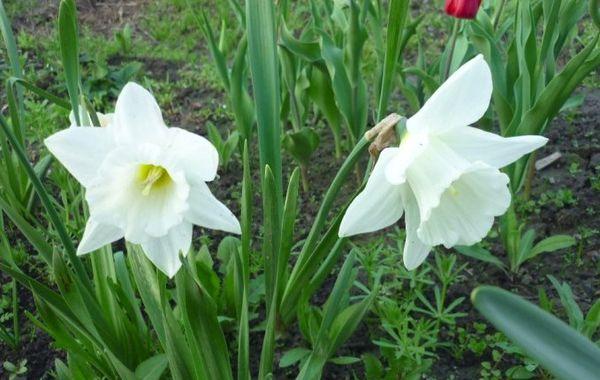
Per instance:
{"type": "Point", "coordinates": [415, 251]}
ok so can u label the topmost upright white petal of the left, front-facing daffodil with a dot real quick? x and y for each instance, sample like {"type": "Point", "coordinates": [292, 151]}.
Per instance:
{"type": "Point", "coordinates": [137, 116]}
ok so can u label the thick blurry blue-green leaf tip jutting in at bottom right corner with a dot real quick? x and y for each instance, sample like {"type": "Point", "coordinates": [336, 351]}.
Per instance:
{"type": "Point", "coordinates": [556, 346]}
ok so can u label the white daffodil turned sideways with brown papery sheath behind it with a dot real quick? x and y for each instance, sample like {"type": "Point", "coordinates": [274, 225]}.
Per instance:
{"type": "Point", "coordinates": [445, 174]}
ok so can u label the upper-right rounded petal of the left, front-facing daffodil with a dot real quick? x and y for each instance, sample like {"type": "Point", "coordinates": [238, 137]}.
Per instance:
{"type": "Point", "coordinates": [193, 153]}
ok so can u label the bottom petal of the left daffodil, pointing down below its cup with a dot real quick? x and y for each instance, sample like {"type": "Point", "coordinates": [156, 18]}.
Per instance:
{"type": "Point", "coordinates": [164, 251]}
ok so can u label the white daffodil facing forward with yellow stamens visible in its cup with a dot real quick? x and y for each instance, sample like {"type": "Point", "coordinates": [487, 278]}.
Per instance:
{"type": "Point", "coordinates": [144, 181]}
